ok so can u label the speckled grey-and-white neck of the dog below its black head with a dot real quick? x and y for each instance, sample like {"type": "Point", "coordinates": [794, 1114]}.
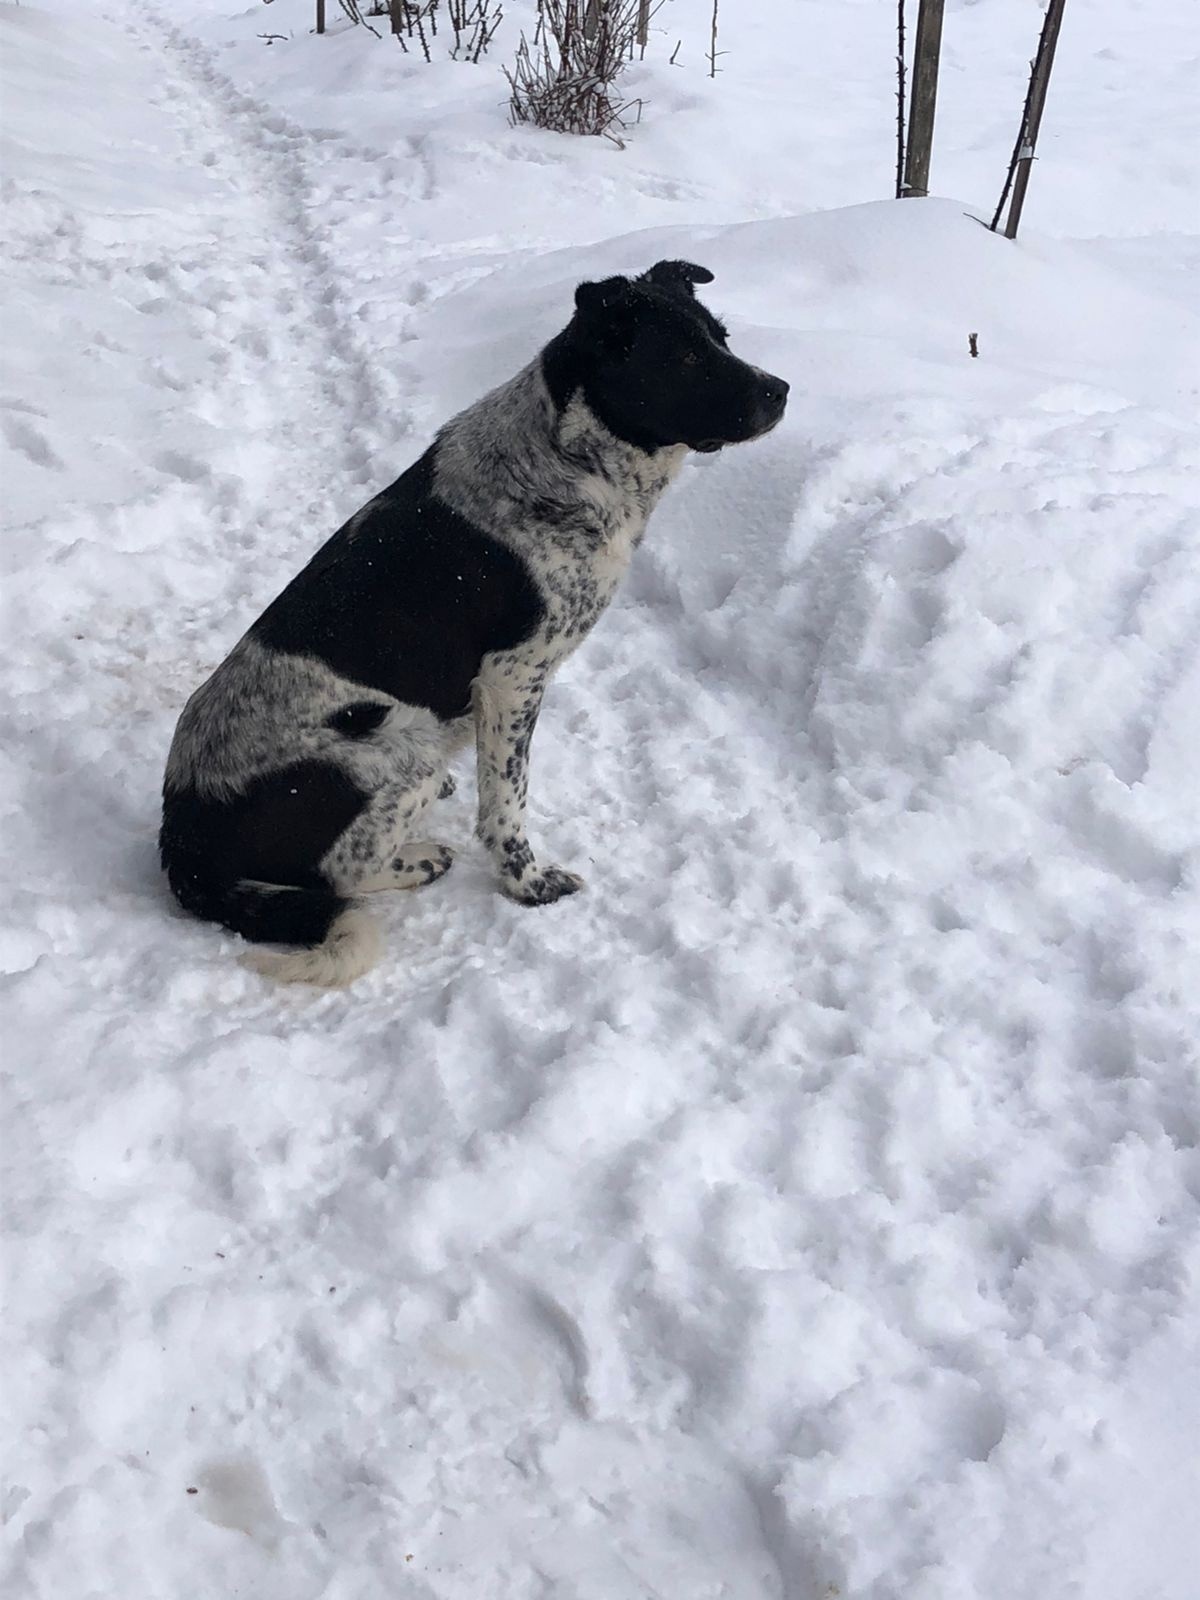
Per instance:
{"type": "Point", "coordinates": [519, 463]}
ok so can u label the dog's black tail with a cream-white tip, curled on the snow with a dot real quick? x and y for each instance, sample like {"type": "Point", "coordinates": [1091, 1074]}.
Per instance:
{"type": "Point", "coordinates": [334, 942]}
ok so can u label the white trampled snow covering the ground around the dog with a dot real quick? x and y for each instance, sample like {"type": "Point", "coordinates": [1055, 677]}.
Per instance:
{"type": "Point", "coordinates": [812, 1209]}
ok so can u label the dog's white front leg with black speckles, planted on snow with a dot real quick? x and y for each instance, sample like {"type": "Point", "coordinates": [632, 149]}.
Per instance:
{"type": "Point", "coordinates": [506, 714]}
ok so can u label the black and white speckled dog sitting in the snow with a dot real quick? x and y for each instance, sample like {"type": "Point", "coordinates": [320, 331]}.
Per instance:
{"type": "Point", "coordinates": [302, 772]}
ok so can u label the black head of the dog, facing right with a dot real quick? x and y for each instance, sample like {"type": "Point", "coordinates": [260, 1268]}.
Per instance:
{"type": "Point", "coordinates": [655, 366]}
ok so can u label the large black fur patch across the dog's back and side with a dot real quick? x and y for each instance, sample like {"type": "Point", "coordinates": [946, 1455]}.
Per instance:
{"type": "Point", "coordinates": [407, 599]}
